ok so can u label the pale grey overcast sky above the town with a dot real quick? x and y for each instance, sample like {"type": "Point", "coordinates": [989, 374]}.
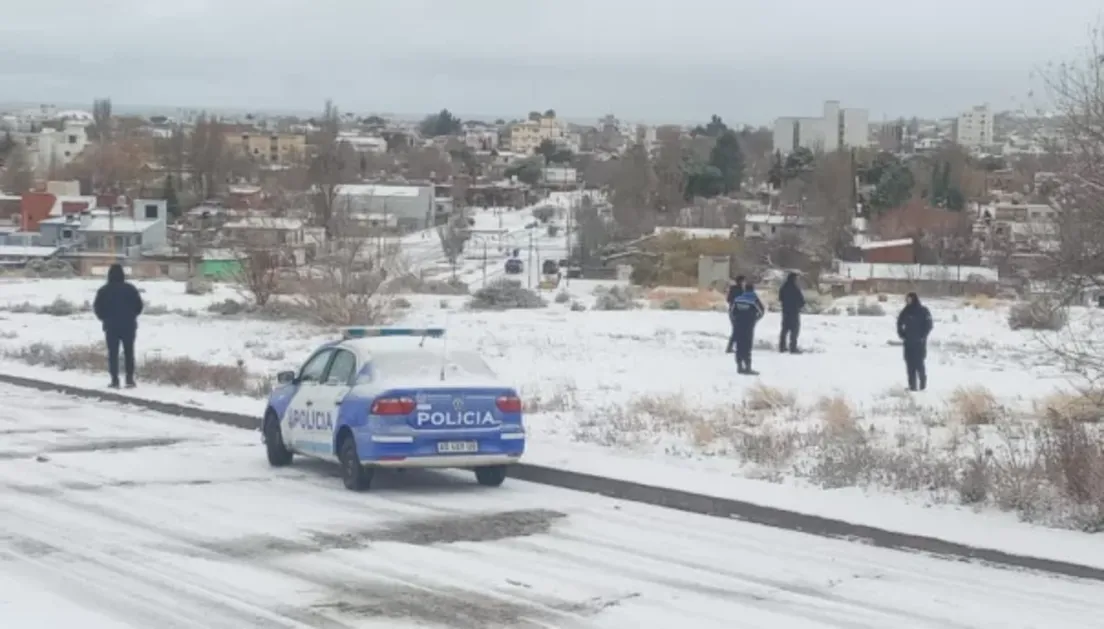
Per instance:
{"type": "Point", "coordinates": [749, 61]}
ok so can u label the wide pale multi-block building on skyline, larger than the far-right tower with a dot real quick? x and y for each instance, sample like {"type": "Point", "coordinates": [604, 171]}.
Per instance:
{"type": "Point", "coordinates": [835, 130]}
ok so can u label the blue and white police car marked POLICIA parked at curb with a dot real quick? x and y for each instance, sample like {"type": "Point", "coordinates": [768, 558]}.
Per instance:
{"type": "Point", "coordinates": [396, 398]}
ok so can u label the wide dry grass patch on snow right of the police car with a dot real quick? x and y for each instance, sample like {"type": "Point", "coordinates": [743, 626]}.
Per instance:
{"type": "Point", "coordinates": [1052, 473]}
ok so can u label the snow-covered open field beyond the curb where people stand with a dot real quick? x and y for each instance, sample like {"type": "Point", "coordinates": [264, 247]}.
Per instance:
{"type": "Point", "coordinates": [650, 396]}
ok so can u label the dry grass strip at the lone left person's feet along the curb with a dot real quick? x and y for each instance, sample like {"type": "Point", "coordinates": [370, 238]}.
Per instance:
{"type": "Point", "coordinates": [174, 372]}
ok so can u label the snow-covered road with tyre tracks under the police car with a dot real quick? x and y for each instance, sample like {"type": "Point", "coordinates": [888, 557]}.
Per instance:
{"type": "Point", "coordinates": [116, 518]}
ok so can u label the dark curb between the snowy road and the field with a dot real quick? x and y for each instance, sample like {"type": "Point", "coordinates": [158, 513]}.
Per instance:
{"type": "Point", "coordinates": [655, 496]}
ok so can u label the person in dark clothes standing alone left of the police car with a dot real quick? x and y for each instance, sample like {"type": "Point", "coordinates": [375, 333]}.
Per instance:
{"type": "Point", "coordinates": [119, 306]}
